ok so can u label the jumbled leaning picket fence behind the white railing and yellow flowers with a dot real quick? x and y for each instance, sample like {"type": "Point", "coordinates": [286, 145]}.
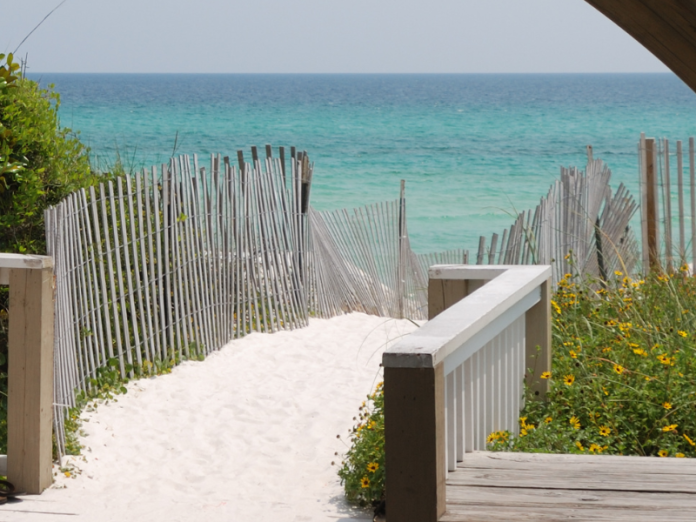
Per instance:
{"type": "Point", "coordinates": [580, 227]}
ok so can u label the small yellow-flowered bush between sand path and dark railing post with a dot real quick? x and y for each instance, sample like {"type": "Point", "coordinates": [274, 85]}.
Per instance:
{"type": "Point", "coordinates": [362, 470]}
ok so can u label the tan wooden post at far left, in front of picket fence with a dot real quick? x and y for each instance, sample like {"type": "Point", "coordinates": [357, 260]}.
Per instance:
{"type": "Point", "coordinates": [30, 377]}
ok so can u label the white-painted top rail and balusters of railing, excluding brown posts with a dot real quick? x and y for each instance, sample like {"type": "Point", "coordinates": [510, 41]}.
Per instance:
{"type": "Point", "coordinates": [480, 341]}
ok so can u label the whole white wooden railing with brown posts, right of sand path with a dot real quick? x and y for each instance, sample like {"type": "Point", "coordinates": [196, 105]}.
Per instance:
{"type": "Point", "coordinates": [460, 377]}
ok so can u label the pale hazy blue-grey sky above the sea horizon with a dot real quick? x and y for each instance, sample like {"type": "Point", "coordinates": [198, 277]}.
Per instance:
{"type": "Point", "coordinates": [320, 36]}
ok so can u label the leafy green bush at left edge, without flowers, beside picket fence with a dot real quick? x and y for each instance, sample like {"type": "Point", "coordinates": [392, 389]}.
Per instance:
{"type": "Point", "coordinates": [40, 164]}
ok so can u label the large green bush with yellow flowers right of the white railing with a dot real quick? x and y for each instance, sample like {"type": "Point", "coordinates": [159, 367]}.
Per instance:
{"type": "Point", "coordinates": [622, 380]}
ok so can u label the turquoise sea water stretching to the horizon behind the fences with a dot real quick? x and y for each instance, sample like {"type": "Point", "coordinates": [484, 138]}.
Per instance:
{"type": "Point", "coordinates": [472, 148]}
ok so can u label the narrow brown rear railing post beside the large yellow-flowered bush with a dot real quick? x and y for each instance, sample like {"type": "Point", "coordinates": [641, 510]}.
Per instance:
{"type": "Point", "coordinates": [538, 343]}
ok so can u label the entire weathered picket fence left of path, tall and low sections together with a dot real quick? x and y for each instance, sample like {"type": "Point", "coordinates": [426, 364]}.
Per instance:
{"type": "Point", "coordinates": [175, 262]}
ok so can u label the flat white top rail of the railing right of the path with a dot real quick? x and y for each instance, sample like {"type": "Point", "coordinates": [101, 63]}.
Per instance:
{"type": "Point", "coordinates": [446, 333]}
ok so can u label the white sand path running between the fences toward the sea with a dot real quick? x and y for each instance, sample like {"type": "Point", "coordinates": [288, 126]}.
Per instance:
{"type": "Point", "coordinates": [246, 435]}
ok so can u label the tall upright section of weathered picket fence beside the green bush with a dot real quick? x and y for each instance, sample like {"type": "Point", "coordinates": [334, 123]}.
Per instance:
{"type": "Point", "coordinates": [174, 263]}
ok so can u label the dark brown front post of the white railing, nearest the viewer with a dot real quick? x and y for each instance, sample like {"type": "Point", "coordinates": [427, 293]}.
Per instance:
{"type": "Point", "coordinates": [414, 413]}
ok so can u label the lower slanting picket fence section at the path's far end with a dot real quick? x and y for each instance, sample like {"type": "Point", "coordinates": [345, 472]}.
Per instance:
{"type": "Point", "coordinates": [364, 262]}
